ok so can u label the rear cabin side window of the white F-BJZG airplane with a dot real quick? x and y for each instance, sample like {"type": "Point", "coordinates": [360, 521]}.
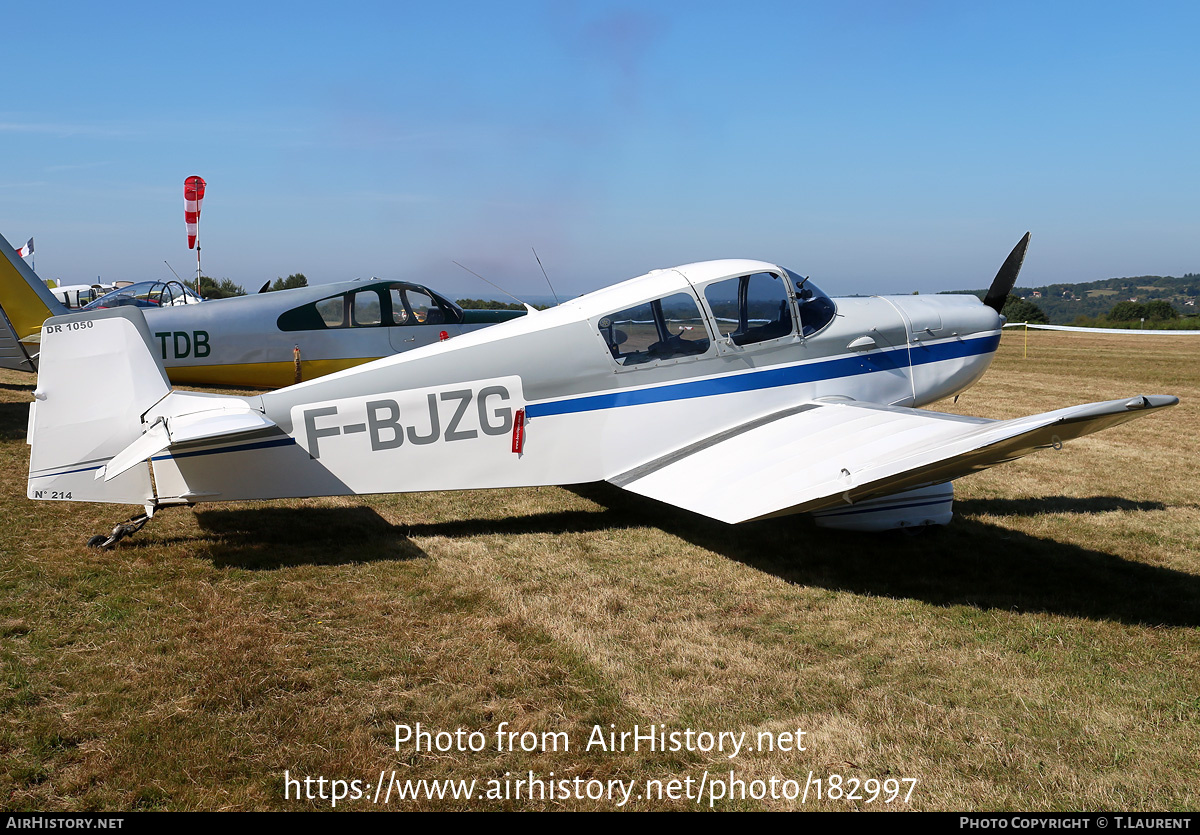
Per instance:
{"type": "Point", "coordinates": [663, 329]}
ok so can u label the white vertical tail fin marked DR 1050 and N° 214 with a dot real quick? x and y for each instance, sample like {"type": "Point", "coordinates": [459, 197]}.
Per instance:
{"type": "Point", "coordinates": [99, 376]}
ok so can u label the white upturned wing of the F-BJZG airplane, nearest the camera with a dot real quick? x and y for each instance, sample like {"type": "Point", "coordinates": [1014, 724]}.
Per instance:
{"type": "Point", "coordinates": [827, 454]}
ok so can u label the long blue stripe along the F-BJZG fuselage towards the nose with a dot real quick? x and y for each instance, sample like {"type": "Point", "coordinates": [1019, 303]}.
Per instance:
{"type": "Point", "coordinates": [771, 379]}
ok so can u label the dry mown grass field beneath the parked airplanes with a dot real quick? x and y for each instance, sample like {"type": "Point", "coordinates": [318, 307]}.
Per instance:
{"type": "Point", "coordinates": [1041, 653]}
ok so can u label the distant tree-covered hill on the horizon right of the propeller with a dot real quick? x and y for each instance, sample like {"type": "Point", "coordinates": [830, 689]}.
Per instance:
{"type": "Point", "coordinates": [1067, 303]}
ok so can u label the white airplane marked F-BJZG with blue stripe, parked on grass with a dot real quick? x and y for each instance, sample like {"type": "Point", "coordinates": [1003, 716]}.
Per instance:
{"type": "Point", "coordinates": [735, 389]}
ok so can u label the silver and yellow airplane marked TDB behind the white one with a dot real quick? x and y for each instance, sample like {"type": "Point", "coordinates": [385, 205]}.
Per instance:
{"type": "Point", "coordinates": [249, 341]}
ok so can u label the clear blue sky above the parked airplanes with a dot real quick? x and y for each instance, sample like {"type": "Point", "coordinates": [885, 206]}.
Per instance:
{"type": "Point", "coordinates": [878, 147]}
